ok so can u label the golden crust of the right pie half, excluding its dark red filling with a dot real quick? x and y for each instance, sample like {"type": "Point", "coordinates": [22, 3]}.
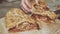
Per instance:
{"type": "Point", "coordinates": [42, 9]}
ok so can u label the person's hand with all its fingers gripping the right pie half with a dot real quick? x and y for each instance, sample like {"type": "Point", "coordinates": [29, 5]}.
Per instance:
{"type": "Point", "coordinates": [26, 5]}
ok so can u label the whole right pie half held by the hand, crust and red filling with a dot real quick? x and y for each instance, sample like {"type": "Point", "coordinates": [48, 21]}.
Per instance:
{"type": "Point", "coordinates": [42, 12]}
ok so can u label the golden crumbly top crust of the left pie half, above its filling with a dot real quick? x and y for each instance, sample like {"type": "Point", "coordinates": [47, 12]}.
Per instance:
{"type": "Point", "coordinates": [16, 16]}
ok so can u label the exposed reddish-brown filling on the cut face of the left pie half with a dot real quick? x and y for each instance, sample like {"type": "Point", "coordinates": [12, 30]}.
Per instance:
{"type": "Point", "coordinates": [23, 27]}
